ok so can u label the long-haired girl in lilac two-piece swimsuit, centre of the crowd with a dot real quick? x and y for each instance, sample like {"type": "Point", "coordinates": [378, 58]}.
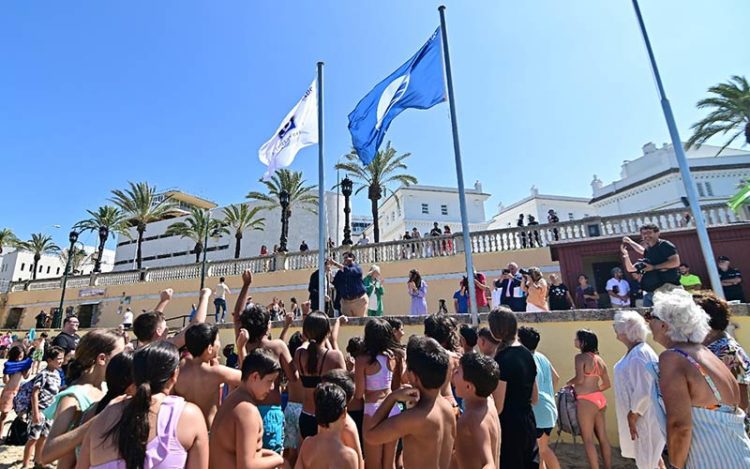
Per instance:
{"type": "Point", "coordinates": [374, 371]}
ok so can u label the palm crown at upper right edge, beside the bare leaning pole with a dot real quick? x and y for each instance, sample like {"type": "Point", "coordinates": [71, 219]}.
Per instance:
{"type": "Point", "coordinates": [731, 113]}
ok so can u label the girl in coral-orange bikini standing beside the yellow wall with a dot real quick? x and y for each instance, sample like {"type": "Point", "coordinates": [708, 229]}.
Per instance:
{"type": "Point", "coordinates": [590, 381]}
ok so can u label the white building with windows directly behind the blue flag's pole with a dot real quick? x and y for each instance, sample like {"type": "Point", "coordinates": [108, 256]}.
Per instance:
{"type": "Point", "coordinates": [420, 206]}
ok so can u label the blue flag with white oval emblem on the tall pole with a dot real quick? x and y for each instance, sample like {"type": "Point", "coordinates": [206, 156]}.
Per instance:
{"type": "Point", "coordinates": [416, 84]}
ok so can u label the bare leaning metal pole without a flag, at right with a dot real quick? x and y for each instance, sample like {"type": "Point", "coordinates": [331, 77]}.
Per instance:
{"type": "Point", "coordinates": [687, 178]}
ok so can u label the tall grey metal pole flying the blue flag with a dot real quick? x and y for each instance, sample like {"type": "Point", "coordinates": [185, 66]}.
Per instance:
{"type": "Point", "coordinates": [459, 173]}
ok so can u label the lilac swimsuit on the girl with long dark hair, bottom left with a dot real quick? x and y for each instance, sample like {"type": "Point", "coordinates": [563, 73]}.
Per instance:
{"type": "Point", "coordinates": [165, 450]}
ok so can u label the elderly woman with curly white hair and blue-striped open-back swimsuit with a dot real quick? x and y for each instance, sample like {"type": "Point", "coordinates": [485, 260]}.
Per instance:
{"type": "Point", "coordinates": [704, 424]}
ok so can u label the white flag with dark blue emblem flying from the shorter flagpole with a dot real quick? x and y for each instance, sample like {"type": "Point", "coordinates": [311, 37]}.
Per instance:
{"type": "Point", "coordinates": [298, 130]}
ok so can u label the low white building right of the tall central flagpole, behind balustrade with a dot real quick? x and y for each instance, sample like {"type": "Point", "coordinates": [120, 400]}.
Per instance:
{"type": "Point", "coordinates": [538, 205]}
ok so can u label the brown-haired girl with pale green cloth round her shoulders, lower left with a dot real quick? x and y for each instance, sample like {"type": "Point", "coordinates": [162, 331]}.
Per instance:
{"type": "Point", "coordinates": [85, 375]}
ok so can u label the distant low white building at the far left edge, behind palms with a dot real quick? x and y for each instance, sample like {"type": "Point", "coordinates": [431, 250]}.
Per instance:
{"type": "Point", "coordinates": [17, 265]}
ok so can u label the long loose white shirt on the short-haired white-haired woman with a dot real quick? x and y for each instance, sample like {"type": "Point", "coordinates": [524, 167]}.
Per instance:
{"type": "Point", "coordinates": [634, 386]}
